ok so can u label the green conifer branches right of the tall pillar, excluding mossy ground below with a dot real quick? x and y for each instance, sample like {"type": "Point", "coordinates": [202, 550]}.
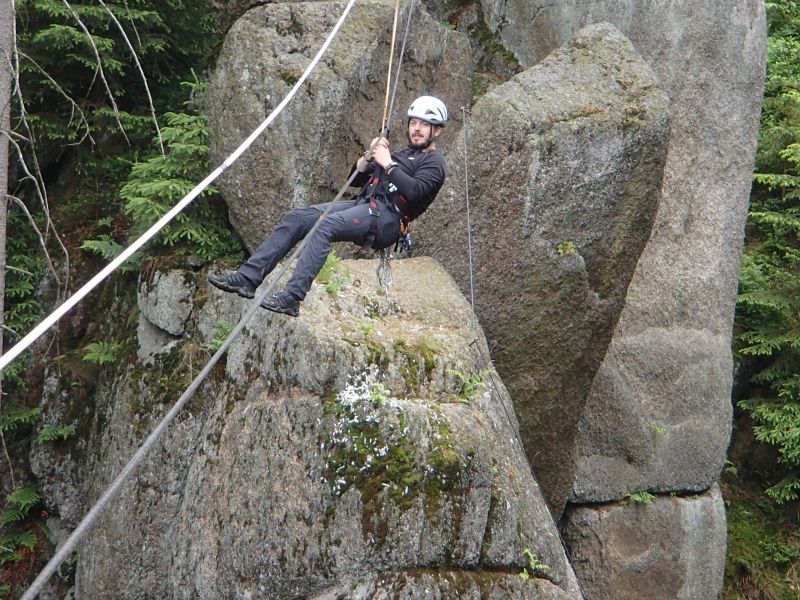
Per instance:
{"type": "Point", "coordinates": [768, 307]}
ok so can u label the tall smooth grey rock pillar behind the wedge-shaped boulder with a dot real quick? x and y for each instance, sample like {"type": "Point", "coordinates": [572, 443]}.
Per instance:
{"type": "Point", "coordinates": [669, 367]}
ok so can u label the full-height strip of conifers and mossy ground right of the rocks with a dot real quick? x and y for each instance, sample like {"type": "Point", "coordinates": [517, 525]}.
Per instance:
{"type": "Point", "coordinates": [763, 548]}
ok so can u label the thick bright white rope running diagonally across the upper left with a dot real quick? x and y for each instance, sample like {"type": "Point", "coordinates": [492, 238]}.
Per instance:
{"type": "Point", "coordinates": [40, 329]}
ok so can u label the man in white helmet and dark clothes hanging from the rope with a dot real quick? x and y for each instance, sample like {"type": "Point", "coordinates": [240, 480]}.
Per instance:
{"type": "Point", "coordinates": [396, 187]}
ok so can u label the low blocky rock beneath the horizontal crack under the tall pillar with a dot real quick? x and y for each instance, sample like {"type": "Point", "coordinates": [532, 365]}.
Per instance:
{"type": "Point", "coordinates": [672, 547]}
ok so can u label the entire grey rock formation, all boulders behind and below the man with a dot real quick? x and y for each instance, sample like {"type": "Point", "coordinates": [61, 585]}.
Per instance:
{"type": "Point", "coordinates": [331, 456]}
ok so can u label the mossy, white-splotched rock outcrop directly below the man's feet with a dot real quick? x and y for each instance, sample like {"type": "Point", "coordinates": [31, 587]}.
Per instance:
{"type": "Point", "coordinates": [334, 455]}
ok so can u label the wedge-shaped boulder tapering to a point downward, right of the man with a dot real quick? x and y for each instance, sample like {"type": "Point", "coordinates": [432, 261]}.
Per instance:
{"type": "Point", "coordinates": [565, 161]}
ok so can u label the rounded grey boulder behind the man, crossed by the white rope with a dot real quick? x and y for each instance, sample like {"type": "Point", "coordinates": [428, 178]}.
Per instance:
{"type": "Point", "coordinates": [307, 153]}
